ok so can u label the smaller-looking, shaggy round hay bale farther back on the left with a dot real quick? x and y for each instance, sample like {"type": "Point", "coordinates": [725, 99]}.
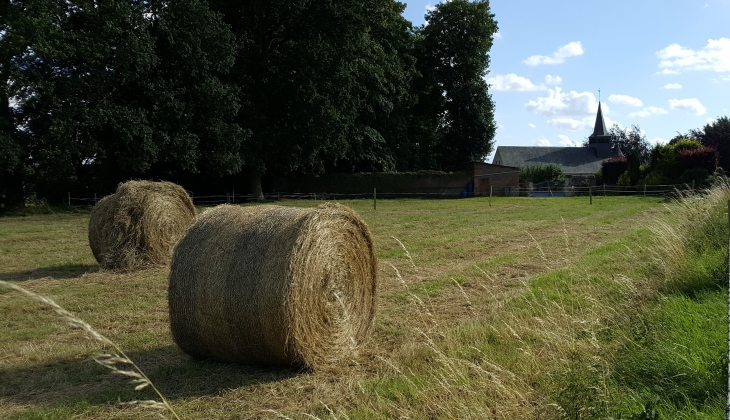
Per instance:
{"type": "Point", "coordinates": [138, 225]}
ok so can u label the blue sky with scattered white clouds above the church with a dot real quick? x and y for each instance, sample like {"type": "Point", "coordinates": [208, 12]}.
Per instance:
{"type": "Point", "coordinates": [661, 64]}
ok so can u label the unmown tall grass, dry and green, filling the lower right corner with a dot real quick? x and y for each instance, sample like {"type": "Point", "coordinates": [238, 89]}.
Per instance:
{"type": "Point", "coordinates": [589, 338]}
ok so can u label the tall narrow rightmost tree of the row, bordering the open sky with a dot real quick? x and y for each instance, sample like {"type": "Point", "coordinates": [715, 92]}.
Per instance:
{"type": "Point", "coordinates": [454, 59]}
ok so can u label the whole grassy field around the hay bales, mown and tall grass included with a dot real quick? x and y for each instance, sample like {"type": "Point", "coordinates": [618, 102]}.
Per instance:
{"type": "Point", "coordinates": [531, 308]}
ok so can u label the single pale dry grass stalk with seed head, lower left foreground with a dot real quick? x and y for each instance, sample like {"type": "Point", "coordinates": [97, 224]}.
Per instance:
{"type": "Point", "coordinates": [109, 361]}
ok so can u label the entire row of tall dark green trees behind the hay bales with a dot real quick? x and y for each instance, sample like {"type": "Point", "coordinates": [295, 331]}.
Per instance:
{"type": "Point", "coordinates": [198, 91]}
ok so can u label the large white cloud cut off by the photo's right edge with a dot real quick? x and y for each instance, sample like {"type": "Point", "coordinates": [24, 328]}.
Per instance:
{"type": "Point", "coordinates": [715, 56]}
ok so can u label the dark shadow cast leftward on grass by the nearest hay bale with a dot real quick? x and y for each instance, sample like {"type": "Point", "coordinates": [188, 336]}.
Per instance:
{"type": "Point", "coordinates": [176, 375]}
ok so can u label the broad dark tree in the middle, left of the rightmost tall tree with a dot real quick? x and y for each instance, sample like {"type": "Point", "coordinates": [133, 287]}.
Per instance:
{"type": "Point", "coordinates": [318, 80]}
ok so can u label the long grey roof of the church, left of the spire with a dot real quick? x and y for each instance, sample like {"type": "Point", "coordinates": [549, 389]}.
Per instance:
{"type": "Point", "coordinates": [574, 160]}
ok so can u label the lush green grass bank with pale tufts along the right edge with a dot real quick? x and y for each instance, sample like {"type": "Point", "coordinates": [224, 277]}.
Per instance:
{"type": "Point", "coordinates": [675, 361]}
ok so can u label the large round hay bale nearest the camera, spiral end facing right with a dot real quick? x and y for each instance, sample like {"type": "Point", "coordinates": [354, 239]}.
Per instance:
{"type": "Point", "coordinates": [272, 285]}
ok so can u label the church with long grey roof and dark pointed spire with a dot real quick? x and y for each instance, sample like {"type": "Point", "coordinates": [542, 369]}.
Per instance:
{"type": "Point", "coordinates": [578, 163]}
